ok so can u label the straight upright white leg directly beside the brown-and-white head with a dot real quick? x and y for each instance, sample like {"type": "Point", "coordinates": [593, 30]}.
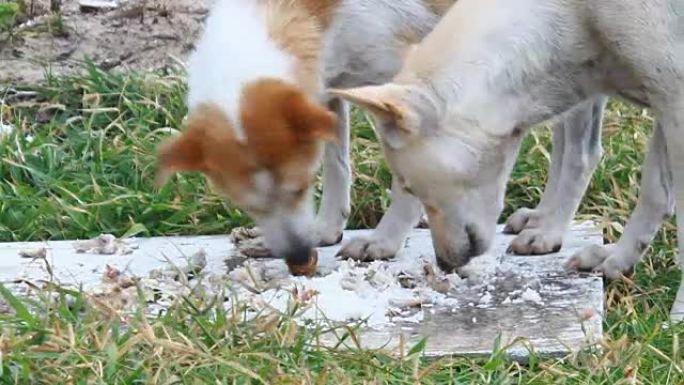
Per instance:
{"type": "Point", "coordinates": [335, 207]}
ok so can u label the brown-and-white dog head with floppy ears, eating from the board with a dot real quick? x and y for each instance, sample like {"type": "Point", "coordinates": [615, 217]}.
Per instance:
{"type": "Point", "coordinates": [269, 169]}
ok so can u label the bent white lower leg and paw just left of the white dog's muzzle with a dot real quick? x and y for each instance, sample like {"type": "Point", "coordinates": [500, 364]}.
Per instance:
{"type": "Point", "coordinates": [388, 237]}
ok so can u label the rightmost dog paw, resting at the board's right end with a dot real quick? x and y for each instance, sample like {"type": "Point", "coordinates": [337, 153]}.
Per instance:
{"type": "Point", "coordinates": [602, 259]}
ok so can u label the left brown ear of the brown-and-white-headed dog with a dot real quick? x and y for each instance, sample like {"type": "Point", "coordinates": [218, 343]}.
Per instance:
{"type": "Point", "coordinates": [181, 153]}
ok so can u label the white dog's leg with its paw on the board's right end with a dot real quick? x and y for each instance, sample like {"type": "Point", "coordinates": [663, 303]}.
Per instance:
{"type": "Point", "coordinates": [656, 202]}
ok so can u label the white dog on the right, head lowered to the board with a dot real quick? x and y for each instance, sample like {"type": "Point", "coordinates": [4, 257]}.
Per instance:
{"type": "Point", "coordinates": [452, 120]}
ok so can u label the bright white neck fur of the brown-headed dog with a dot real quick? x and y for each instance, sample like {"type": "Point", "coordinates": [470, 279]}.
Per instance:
{"type": "Point", "coordinates": [234, 50]}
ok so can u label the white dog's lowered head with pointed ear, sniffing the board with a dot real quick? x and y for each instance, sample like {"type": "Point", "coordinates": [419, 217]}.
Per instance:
{"type": "Point", "coordinates": [456, 169]}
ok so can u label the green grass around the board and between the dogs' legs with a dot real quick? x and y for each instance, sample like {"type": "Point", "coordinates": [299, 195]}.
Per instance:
{"type": "Point", "coordinates": [82, 162]}
